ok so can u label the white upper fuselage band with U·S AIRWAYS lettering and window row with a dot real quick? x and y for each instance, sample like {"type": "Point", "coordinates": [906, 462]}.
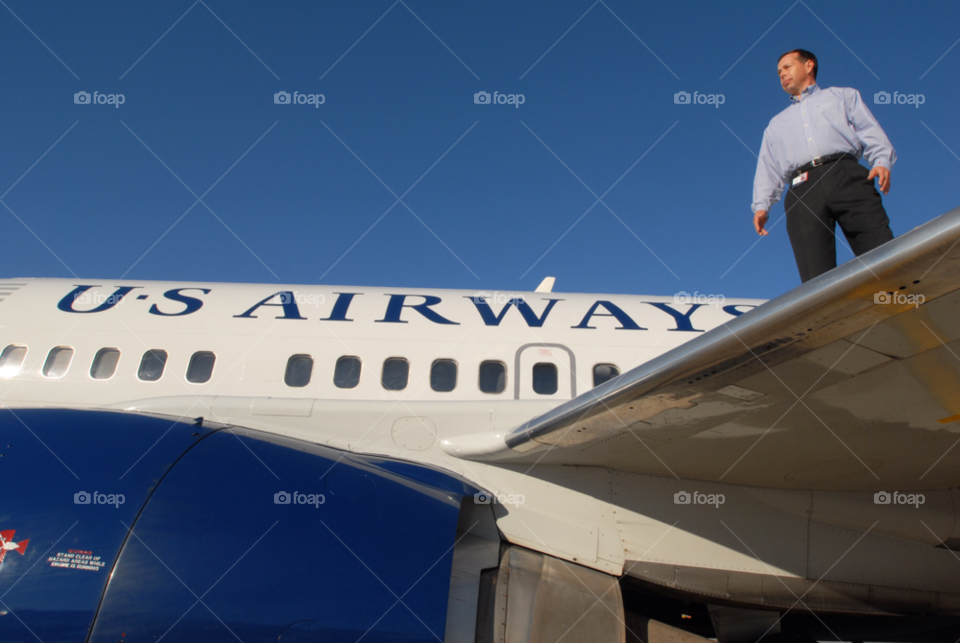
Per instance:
{"type": "Point", "coordinates": [252, 344]}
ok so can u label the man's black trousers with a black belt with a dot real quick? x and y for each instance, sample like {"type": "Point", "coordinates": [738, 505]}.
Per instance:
{"type": "Point", "coordinates": [836, 192]}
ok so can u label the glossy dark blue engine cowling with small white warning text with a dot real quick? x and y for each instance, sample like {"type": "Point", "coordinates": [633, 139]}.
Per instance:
{"type": "Point", "coordinates": [142, 528]}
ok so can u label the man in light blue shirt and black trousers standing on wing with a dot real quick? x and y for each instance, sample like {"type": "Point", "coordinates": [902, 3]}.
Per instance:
{"type": "Point", "coordinates": [813, 147]}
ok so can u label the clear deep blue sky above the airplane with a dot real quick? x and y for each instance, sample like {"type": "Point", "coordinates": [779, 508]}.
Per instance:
{"type": "Point", "coordinates": [294, 193]}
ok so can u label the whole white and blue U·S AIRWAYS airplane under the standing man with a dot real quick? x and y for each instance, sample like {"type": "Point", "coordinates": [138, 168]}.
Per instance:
{"type": "Point", "coordinates": [253, 462]}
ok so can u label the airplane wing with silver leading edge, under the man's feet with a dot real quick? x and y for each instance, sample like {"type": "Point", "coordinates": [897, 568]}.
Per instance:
{"type": "Point", "coordinates": [849, 382]}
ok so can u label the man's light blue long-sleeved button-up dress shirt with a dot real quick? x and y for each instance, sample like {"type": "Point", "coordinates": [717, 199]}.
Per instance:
{"type": "Point", "coordinates": [818, 123]}
